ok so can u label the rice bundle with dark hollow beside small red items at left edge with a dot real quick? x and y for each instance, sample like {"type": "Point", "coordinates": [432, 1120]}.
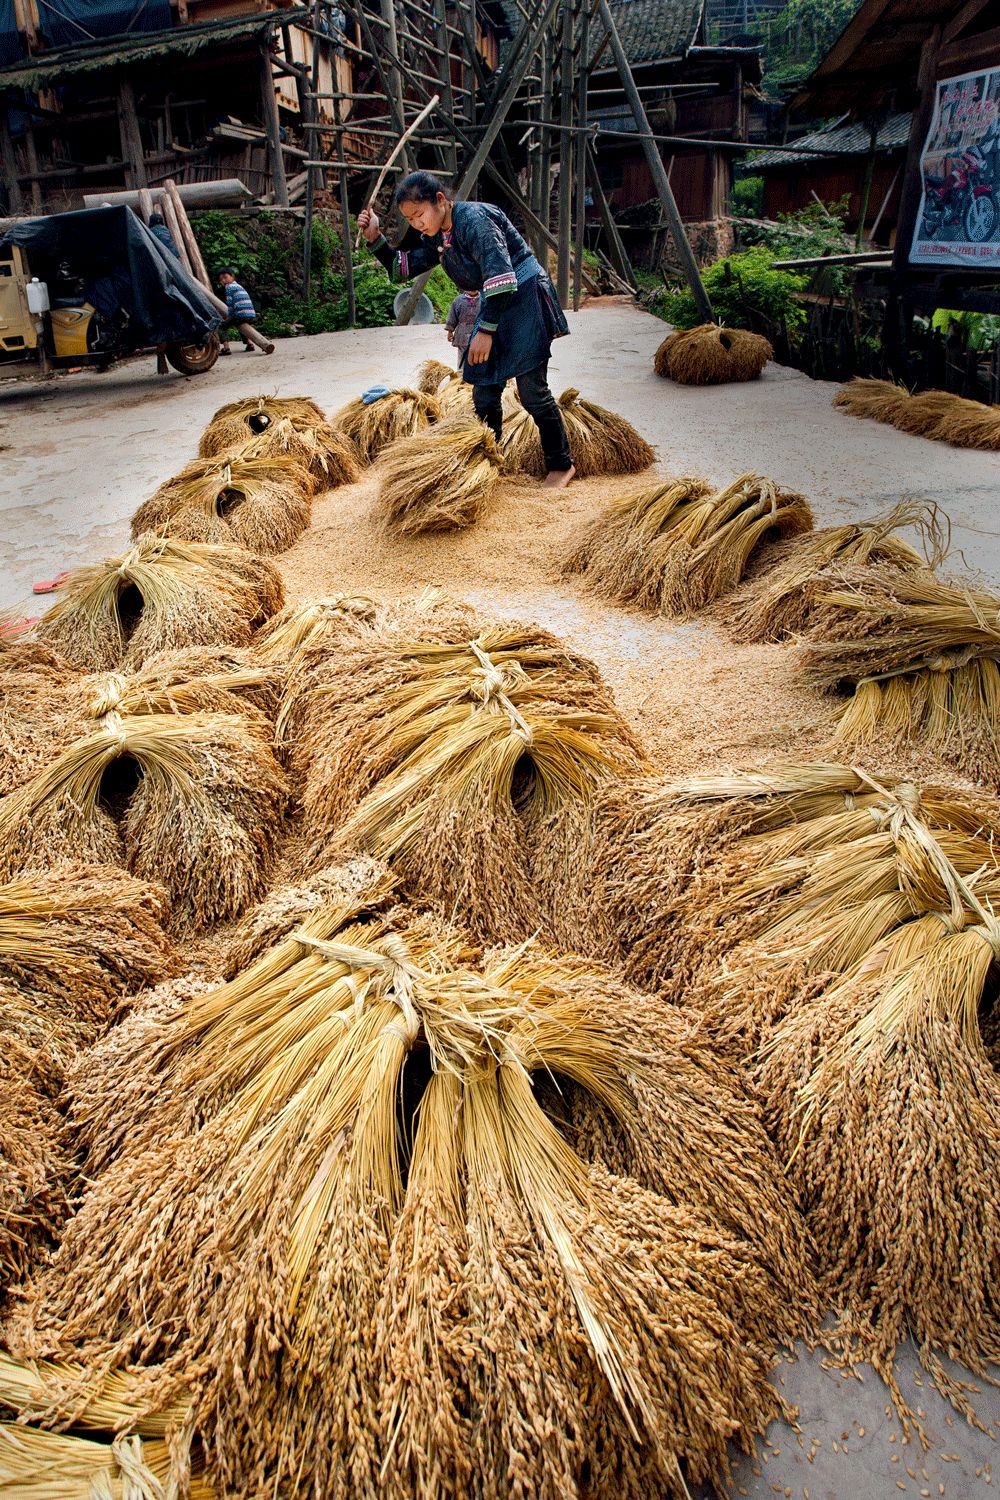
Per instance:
{"type": "Point", "coordinates": [158, 596]}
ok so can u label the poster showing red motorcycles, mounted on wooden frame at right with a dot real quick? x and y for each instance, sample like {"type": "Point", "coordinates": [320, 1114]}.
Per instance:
{"type": "Point", "coordinates": [959, 221]}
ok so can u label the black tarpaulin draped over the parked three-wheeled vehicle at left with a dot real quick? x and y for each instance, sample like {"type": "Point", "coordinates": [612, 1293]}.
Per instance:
{"type": "Point", "coordinates": [119, 260]}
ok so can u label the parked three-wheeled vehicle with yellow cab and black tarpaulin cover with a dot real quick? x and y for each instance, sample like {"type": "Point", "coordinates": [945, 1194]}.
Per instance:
{"type": "Point", "coordinates": [91, 287]}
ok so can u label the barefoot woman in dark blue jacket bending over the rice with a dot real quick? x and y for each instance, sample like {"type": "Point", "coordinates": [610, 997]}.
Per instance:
{"type": "Point", "coordinates": [521, 316]}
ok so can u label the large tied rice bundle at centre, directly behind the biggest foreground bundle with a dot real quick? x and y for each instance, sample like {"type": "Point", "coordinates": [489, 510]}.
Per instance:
{"type": "Point", "coordinates": [451, 760]}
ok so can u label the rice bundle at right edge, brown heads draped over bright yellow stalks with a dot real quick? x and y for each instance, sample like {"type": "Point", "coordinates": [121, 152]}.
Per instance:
{"type": "Point", "coordinates": [923, 659]}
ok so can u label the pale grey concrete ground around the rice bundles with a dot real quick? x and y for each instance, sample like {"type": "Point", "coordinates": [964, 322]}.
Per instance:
{"type": "Point", "coordinates": [77, 457]}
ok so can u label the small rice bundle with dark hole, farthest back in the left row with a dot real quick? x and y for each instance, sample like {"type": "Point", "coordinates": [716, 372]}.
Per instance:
{"type": "Point", "coordinates": [290, 428]}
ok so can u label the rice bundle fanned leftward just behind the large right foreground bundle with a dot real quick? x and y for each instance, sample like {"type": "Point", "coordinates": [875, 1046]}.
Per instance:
{"type": "Point", "coordinates": [810, 863]}
